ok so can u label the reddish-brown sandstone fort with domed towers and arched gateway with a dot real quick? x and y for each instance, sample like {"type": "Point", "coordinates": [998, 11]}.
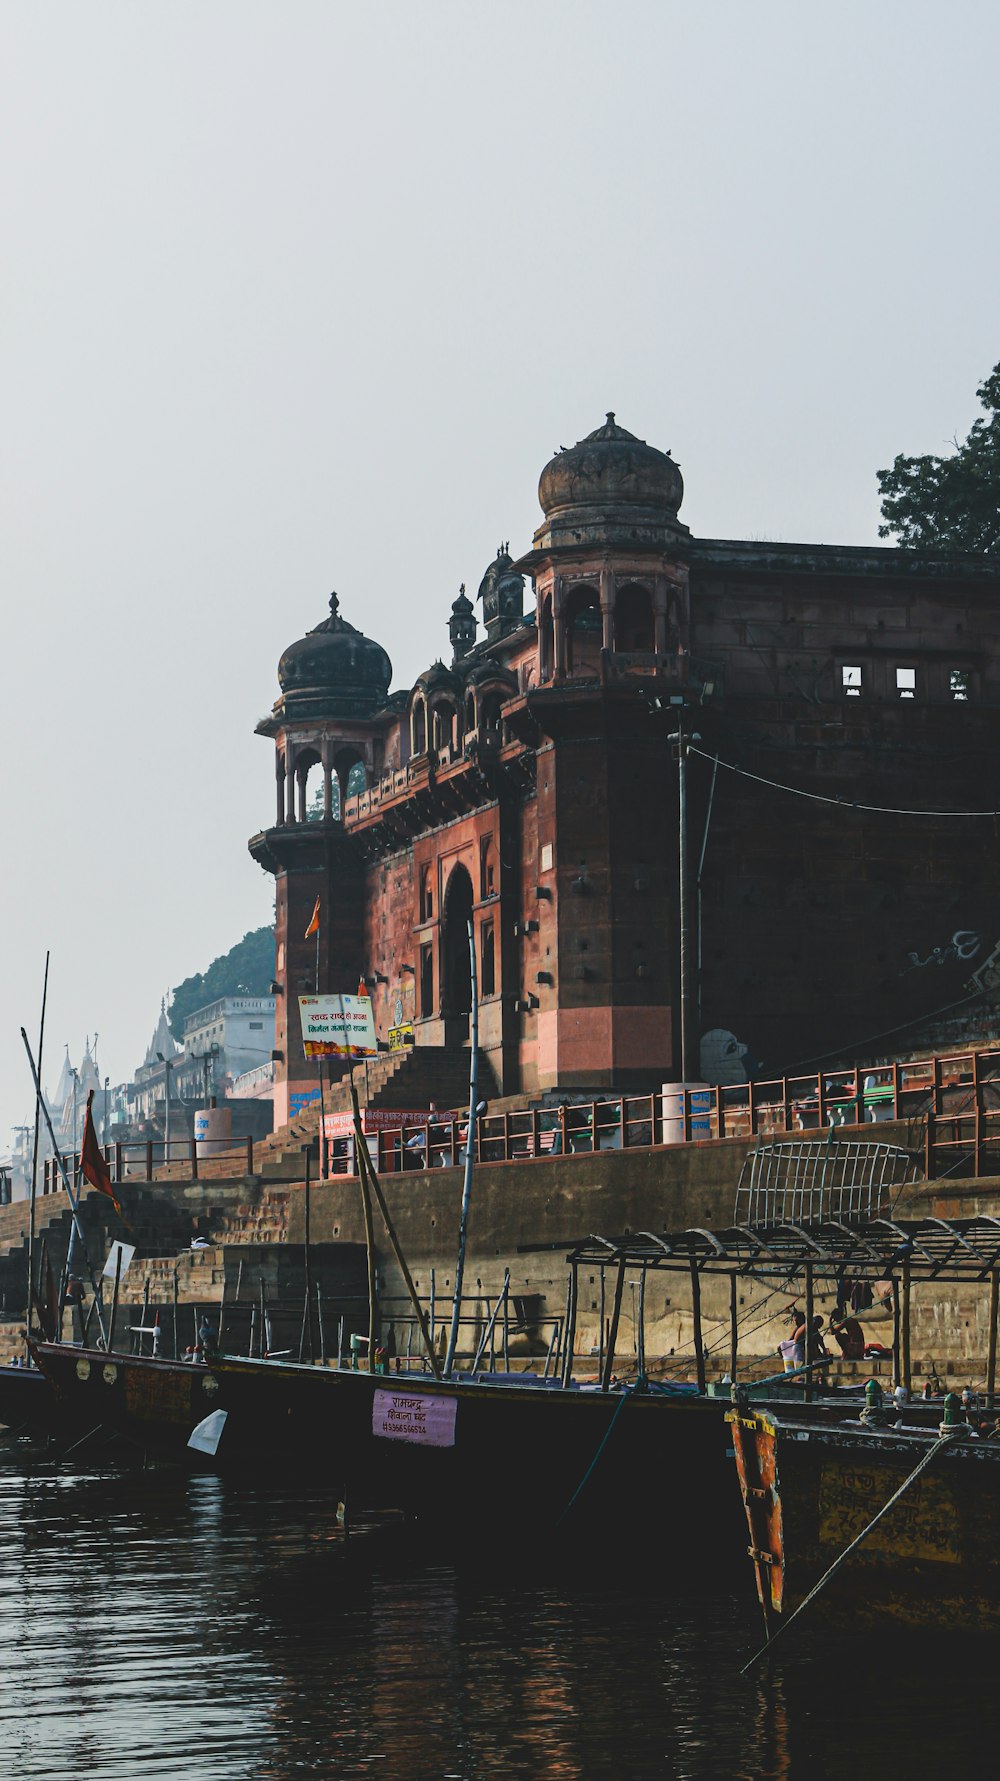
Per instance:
{"type": "Point", "coordinates": [530, 785]}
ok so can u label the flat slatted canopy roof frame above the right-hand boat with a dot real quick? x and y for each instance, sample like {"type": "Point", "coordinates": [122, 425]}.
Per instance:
{"type": "Point", "coordinates": [931, 1249]}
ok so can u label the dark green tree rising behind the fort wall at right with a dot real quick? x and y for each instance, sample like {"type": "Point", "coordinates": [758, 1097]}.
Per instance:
{"type": "Point", "coordinates": [949, 503]}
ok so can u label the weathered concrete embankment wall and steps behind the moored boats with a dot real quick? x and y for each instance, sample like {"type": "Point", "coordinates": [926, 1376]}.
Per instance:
{"type": "Point", "coordinates": [525, 1217]}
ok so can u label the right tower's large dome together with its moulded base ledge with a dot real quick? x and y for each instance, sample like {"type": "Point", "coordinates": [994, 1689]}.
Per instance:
{"type": "Point", "coordinates": [611, 489]}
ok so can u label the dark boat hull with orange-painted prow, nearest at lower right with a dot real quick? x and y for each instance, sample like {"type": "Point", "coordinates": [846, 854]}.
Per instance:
{"type": "Point", "coordinates": [812, 1490]}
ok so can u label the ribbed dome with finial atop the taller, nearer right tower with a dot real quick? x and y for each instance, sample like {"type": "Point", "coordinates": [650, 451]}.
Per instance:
{"type": "Point", "coordinates": [611, 468]}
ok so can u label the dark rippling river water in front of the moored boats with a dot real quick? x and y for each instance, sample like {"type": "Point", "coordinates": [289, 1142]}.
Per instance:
{"type": "Point", "coordinates": [161, 1625]}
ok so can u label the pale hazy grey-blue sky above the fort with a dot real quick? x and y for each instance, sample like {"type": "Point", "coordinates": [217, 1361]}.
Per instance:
{"type": "Point", "coordinates": [302, 297]}
